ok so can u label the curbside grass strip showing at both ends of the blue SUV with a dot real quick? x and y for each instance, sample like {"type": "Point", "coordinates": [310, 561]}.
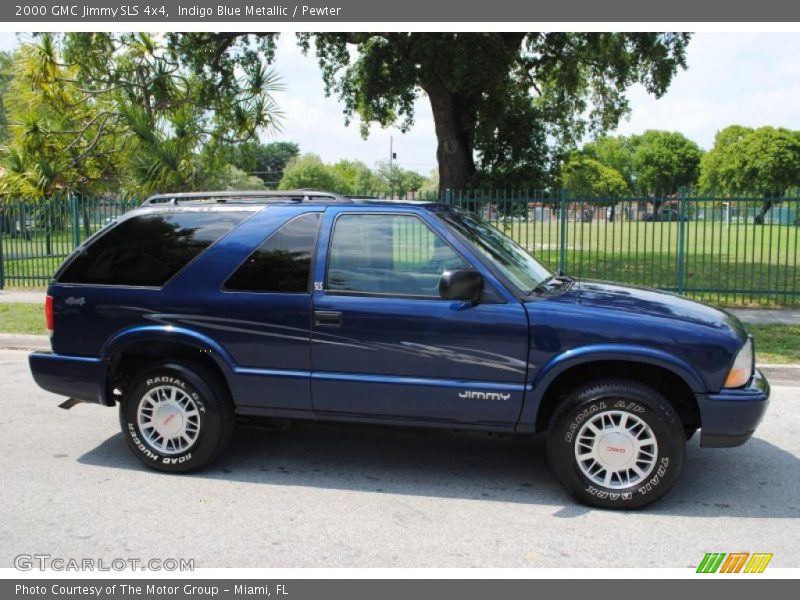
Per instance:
{"type": "Point", "coordinates": [774, 343]}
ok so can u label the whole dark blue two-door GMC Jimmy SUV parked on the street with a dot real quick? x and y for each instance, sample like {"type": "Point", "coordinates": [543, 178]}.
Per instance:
{"type": "Point", "coordinates": [195, 308]}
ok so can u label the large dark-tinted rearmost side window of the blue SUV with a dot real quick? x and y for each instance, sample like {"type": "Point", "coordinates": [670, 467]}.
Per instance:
{"type": "Point", "coordinates": [147, 250]}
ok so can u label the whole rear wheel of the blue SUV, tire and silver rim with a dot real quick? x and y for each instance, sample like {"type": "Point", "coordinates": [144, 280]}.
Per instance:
{"type": "Point", "coordinates": [175, 417]}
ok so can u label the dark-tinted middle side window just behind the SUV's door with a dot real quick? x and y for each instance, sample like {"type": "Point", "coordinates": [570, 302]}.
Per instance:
{"type": "Point", "coordinates": [282, 263]}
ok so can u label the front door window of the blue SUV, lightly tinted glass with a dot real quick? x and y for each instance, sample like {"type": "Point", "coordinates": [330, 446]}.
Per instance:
{"type": "Point", "coordinates": [388, 254]}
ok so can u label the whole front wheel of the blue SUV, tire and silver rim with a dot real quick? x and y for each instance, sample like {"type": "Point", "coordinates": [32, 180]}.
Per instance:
{"type": "Point", "coordinates": [616, 444]}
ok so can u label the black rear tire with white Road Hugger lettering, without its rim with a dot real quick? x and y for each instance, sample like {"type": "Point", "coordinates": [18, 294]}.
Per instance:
{"type": "Point", "coordinates": [204, 447]}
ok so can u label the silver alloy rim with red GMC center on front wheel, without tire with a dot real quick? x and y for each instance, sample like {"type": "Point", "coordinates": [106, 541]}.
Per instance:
{"type": "Point", "coordinates": [616, 449]}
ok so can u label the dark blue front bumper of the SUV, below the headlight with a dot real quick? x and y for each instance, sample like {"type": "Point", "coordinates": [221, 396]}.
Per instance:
{"type": "Point", "coordinates": [730, 417]}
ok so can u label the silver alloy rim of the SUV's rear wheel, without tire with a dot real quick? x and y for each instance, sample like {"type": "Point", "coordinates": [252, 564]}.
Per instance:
{"type": "Point", "coordinates": [168, 419]}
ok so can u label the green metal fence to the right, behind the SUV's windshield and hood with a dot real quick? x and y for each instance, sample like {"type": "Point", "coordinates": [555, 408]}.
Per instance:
{"type": "Point", "coordinates": [724, 250]}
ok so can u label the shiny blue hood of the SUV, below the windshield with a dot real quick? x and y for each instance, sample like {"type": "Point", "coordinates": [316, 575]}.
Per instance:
{"type": "Point", "coordinates": [651, 303]}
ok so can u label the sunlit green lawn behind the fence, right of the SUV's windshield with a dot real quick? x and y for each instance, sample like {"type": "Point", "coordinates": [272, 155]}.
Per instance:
{"type": "Point", "coordinates": [734, 264]}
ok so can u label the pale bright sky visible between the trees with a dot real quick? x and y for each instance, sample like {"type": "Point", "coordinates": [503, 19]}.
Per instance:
{"type": "Point", "coordinates": [751, 79]}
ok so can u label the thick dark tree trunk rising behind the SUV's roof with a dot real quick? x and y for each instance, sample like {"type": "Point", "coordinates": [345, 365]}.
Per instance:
{"type": "Point", "coordinates": [452, 119]}
